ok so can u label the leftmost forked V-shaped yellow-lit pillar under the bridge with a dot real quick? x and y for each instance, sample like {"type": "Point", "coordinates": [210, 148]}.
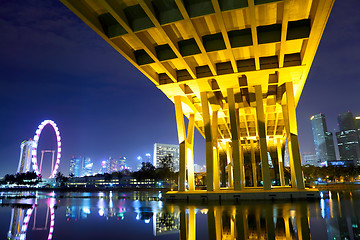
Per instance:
{"type": "Point", "coordinates": [186, 144]}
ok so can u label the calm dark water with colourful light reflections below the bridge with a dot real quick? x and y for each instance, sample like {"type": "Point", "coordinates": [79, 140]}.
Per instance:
{"type": "Point", "coordinates": [141, 215]}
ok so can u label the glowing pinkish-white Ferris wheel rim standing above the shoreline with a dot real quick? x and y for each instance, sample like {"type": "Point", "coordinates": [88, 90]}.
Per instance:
{"type": "Point", "coordinates": [35, 145]}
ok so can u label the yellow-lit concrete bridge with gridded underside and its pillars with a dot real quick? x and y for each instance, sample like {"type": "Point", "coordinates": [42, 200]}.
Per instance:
{"type": "Point", "coordinates": [235, 69]}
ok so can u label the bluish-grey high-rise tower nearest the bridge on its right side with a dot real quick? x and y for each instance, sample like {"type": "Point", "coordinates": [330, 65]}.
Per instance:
{"type": "Point", "coordinates": [323, 140]}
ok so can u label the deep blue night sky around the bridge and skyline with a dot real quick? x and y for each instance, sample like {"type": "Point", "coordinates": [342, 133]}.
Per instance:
{"type": "Point", "coordinates": [53, 66]}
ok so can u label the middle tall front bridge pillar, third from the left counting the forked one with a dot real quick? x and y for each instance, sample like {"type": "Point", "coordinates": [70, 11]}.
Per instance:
{"type": "Point", "coordinates": [235, 140]}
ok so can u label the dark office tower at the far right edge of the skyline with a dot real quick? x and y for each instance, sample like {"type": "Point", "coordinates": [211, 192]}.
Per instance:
{"type": "Point", "coordinates": [348, 139]}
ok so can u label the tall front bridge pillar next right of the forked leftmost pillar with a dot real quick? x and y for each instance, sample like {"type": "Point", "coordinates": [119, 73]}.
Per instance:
{"type": "Point", "coordinates": [209, 142]}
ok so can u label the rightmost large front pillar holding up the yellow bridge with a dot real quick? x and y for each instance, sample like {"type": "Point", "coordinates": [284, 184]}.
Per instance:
{"type": "Point", "coordinates": [292, 135]}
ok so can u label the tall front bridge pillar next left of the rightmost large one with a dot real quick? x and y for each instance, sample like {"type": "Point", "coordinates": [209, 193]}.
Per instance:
{"type": "Point", "coordinates": [262, 138]}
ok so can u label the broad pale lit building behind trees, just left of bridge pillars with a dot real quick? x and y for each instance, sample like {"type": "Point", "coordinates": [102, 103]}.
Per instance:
{"type": "Point", "coordinates": [162, 150]}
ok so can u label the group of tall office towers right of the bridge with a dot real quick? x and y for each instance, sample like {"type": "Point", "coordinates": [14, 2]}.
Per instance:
{"type": "Point", "coordinates": [348, 138]}
